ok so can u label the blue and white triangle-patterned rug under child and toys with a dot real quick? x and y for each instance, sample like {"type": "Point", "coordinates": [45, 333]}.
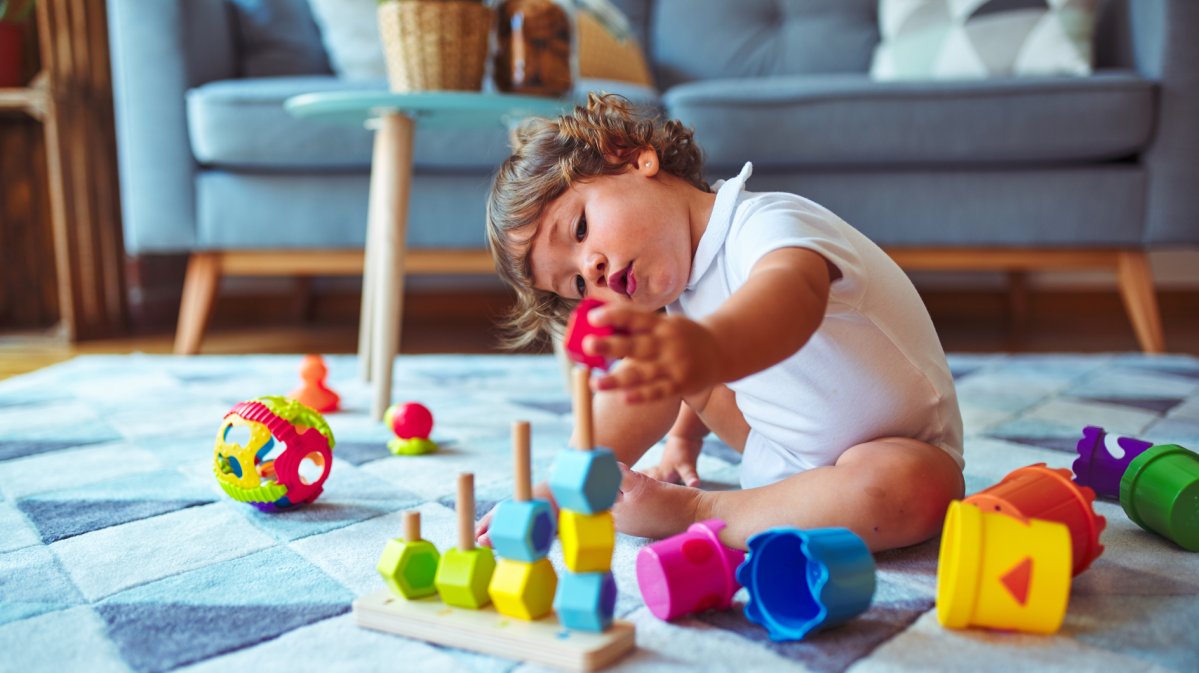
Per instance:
{"type": "Point", "coordinates": [119, 552]}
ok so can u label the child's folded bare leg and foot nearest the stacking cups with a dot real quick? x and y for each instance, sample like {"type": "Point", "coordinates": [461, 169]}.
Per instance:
{"type": "Point", "coordinates": [893, 492]}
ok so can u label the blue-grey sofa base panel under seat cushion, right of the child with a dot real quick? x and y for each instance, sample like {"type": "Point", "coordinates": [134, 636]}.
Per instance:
{"type": "Point", "coordinates": [1068, 206]}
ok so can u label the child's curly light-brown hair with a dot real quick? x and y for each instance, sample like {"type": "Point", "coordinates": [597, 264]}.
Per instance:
{"type": "Point", "coordinates": [550, 157]}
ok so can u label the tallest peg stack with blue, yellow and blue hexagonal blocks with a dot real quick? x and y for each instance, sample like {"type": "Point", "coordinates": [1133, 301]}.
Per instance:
{"type": "Point", "coordinates": [586, 484]}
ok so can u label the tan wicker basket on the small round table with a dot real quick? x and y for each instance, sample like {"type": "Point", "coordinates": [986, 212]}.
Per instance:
{"type": "Point", "coordinates": [435, 45]}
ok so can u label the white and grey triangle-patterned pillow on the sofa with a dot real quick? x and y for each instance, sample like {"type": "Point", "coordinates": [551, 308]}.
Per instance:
{"type": "Point", "coordinates": [980, 39]}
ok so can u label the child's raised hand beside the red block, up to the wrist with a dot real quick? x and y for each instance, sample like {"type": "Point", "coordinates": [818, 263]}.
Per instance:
{"type": "Point", "coordinates": [662, 354]}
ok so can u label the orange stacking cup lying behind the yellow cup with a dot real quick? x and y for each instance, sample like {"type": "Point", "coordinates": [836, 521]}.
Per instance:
{"type": "Point", "coordinates": [1050, 495]}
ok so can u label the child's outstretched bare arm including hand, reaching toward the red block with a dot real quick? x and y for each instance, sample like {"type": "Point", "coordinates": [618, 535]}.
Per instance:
{"type": "Point", "coordinates": [775, 314]}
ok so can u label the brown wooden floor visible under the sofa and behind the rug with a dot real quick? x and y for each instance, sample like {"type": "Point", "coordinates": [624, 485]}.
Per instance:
{"type": "Point", "coordinates": [975, 322]}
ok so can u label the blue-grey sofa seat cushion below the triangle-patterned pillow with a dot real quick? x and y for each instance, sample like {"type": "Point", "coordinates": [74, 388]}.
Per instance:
{"type": "Point", "coordinates": [847, 121]}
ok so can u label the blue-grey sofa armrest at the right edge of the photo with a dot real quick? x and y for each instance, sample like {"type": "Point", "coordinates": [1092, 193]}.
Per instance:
{"type": "Point", "coordinates": [1165, 37]}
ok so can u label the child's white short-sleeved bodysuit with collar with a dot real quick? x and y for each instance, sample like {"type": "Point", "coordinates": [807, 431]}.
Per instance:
{"type": "Point", "coordinates": [873, 369]}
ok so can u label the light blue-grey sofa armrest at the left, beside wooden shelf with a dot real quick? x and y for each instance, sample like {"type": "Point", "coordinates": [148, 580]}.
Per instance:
{"type": "Point", "coordinates": [160, 50]}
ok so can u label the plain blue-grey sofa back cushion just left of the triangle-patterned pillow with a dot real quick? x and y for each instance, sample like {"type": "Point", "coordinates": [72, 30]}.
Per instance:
{"type": "Point", "coordinates": [716, 39]}
